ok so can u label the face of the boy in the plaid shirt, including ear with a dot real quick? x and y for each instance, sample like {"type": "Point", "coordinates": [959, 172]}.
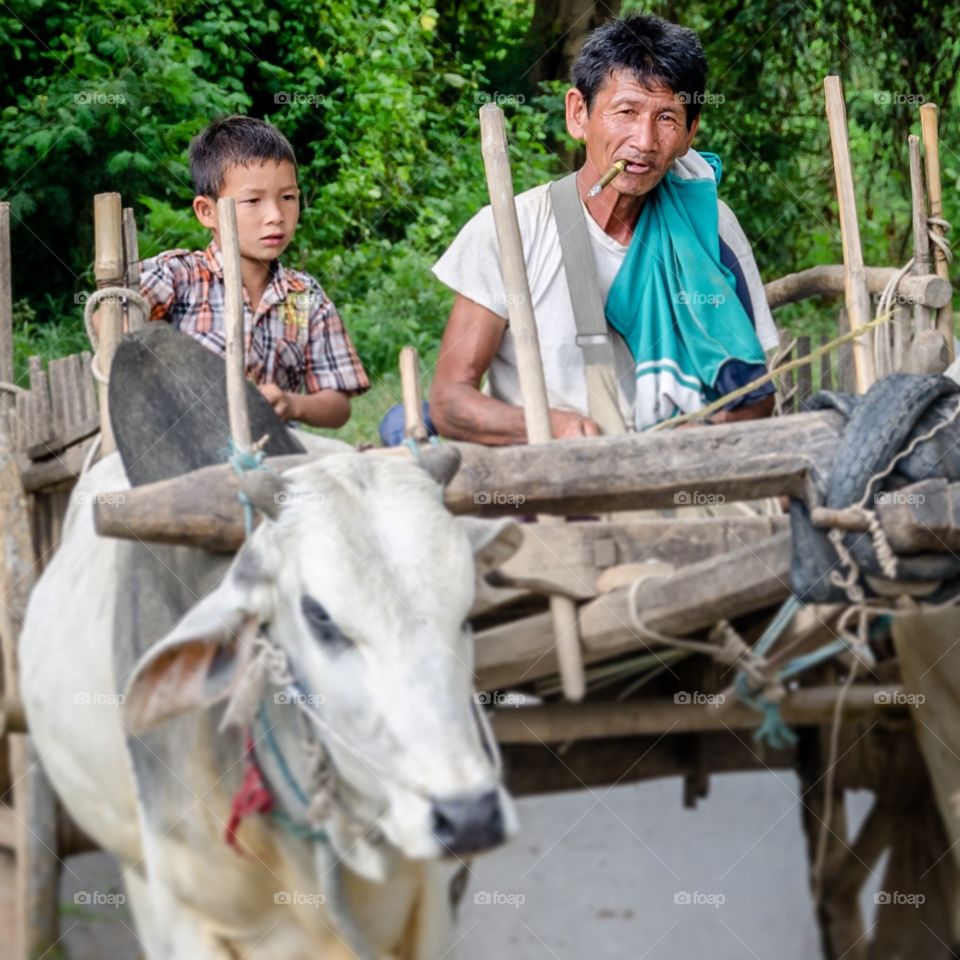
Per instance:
{"type": "Point", "coordinates": [268, 207]}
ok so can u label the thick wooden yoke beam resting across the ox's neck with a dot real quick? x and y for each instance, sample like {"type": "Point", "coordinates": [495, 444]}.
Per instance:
{"type": "Point", "coordinates": [737, 461]}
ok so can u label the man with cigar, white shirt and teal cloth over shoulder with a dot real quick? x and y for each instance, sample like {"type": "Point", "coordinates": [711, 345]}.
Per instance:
{"type": "Point", "coordinates": [678, 282]}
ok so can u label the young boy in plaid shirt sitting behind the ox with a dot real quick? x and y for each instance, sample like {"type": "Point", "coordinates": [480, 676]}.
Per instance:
{"type": "Point", "coordinates": [294, 338]}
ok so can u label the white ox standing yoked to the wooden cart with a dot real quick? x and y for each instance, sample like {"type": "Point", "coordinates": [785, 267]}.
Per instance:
{"type": "Point", "coordinates": [358, 591]}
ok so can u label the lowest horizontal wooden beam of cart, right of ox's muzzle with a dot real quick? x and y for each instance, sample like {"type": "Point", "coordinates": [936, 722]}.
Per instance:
{"type": "Point", "coordinates": [558, 723]}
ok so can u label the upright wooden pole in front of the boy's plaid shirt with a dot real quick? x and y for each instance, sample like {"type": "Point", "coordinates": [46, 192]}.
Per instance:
{"type": "Point", "coordinates": [233, 316]}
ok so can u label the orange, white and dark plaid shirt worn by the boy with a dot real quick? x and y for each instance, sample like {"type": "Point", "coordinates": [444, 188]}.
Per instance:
{"type": "Point", "coordinates": [295, 339]}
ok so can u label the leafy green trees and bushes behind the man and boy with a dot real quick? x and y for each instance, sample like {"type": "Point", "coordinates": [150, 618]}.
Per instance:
{"type": "Point", "coordinates": [380, 101]}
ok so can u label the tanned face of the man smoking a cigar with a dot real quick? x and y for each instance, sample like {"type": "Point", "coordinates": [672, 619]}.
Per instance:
{"type": "Point", "coordinates": [644, 126]}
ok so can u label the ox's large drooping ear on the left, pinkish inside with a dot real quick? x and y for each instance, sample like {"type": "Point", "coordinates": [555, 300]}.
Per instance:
{"type": "Point", "coordinates": [196, 665]}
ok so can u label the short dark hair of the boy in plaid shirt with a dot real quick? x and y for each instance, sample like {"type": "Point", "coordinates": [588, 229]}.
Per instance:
{"type": "Point", "coordinates": [234, 141]}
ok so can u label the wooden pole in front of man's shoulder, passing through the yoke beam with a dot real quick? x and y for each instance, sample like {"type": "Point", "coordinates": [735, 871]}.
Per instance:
{"type": "Point", "coordinates": [529, 366]}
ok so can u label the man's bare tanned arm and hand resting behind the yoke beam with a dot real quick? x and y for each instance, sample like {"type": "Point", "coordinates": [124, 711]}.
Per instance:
{"type": "Point", "coordinates": [457, 407]}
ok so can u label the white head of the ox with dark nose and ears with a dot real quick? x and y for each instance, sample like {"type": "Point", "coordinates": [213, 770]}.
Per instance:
{"type": "Point", "coordinates": [365, 581]}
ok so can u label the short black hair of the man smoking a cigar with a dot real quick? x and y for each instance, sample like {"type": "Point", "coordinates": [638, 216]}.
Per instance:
{"type": "Point", "coordinates": [656, 51]}
